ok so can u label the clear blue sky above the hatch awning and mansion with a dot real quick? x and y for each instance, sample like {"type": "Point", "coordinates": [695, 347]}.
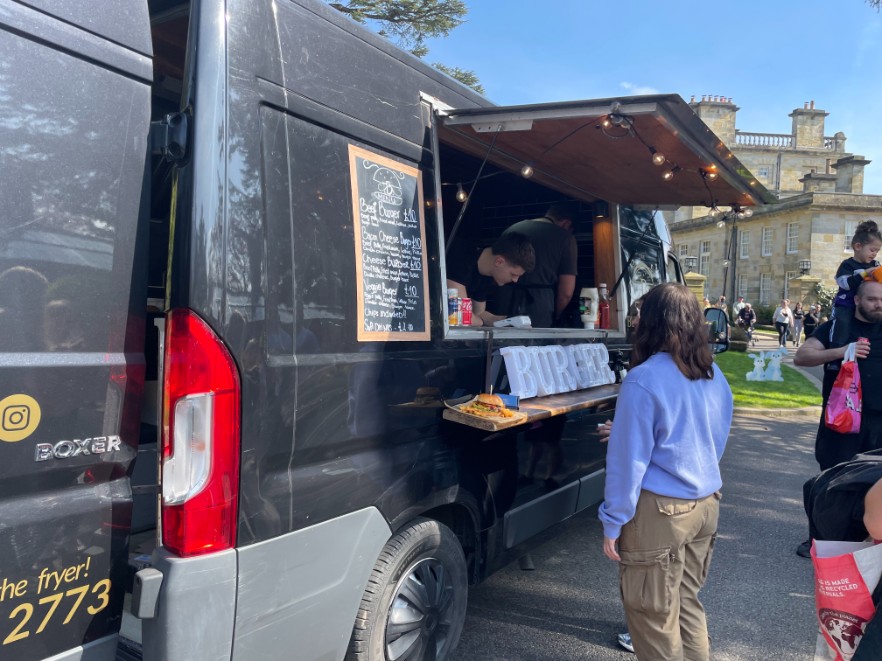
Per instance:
{"type": "Point", "coordinates": [769, 57]}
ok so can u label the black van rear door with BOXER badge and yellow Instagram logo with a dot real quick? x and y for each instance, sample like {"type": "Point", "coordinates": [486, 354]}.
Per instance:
{"type": "Point", "coordinates": [74, 122]}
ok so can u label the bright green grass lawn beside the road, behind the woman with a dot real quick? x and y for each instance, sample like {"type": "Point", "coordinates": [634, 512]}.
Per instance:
{"type": "Point", "coordinates": [795, 391]}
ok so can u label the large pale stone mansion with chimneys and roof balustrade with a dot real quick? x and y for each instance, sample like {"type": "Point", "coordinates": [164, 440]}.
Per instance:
{"type": "Point", "coordinates": [783, 249]}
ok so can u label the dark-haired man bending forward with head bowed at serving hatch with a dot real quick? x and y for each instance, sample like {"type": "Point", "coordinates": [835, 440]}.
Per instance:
{"type": "Point", "coordinates": [510, 257]}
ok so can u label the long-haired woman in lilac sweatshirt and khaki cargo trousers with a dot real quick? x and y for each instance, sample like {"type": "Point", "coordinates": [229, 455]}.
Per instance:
{"type": "Point", "coordinates": [661, 502]}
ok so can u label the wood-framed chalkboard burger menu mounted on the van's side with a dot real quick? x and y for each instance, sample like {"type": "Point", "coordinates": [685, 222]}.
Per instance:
{"type": "Point", "coordinates": [390, 253]}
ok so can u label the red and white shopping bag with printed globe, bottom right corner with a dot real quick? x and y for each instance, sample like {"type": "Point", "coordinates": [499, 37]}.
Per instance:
{"type": "Point", "coordinates": [846, 573]}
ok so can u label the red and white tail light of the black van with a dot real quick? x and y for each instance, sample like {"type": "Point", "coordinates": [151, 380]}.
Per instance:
{"type": "Point", "coordinates": [200, 438]}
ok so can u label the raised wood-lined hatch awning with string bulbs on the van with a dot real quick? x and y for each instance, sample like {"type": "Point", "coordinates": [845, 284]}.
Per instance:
{"type": "Point", "coordinates": [602, 149]}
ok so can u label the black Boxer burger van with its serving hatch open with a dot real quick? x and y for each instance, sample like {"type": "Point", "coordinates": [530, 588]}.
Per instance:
{"type": "Point", "coordinates": [226, 363]}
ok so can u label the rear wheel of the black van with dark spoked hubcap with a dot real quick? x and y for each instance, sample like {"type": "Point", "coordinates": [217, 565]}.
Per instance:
{"type": "Point", "coordinates": [414, 605]}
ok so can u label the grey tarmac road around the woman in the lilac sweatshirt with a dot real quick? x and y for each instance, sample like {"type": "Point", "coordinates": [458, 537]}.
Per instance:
{"type": "Point", "coordinates": [759, 595]}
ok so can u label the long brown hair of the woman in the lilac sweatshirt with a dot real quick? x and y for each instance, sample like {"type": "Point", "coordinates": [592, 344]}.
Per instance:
{"type": "Point", "coordinates": [671, 320]}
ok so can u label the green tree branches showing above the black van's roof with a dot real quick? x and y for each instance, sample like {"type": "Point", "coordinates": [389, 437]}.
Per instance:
{"type": "Point", "coordinates": [408, 23]}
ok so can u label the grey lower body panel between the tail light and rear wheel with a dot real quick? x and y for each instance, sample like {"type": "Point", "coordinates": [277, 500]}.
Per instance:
{"type": "Point", "coordinates": [301, 591]}
